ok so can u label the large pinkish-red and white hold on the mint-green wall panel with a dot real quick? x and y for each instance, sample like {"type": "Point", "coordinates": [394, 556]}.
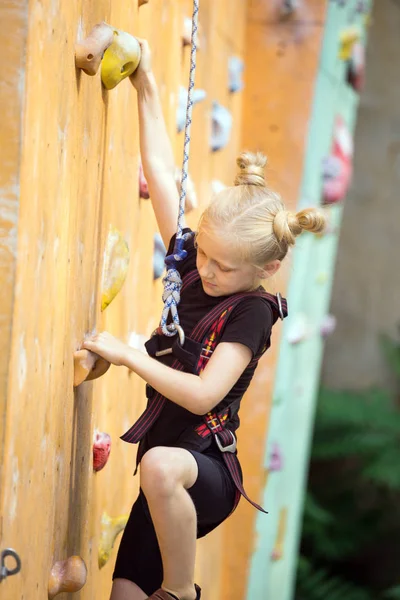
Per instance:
{"type": "Point", "coordinates": [338, 166]}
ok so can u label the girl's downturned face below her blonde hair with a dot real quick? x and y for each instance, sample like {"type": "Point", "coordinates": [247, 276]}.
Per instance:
{"type": "Point", "coordinates": [221, 270]}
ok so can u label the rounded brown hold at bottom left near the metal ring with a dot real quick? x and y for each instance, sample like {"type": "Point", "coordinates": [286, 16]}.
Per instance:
{"type": "Point", "coordinates": [67, 576]}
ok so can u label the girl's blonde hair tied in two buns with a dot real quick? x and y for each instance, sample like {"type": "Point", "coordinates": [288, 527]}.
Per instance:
{"type": "Point", "coordinates": [254, 218]}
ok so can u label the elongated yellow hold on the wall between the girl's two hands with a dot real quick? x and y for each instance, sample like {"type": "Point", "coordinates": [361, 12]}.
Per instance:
{"type": "Point", "coordinates": [115, 266]}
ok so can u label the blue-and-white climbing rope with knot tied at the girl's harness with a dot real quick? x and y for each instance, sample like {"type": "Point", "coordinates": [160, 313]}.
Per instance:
{"type": "Point", "coordinates": [172, 280]}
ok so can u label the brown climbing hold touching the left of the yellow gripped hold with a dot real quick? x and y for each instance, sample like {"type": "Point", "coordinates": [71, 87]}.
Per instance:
{"type": "Point", "coordinates": [88, 54]}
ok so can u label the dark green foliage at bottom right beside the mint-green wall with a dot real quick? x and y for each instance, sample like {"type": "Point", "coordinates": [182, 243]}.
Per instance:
{"type": "Point", "coordinates": [354, 489]}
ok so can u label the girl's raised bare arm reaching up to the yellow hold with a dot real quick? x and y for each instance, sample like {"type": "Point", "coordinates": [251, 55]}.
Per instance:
{"type": "Point", "coordinates": [155, 148]}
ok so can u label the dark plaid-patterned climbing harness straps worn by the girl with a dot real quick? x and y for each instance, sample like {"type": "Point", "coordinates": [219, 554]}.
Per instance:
{"type": "Point", "coordinates": [198, 349]}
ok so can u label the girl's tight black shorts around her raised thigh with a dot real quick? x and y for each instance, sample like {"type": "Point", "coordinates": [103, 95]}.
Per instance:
{"type": "Point", "coordinates": [214, 496]}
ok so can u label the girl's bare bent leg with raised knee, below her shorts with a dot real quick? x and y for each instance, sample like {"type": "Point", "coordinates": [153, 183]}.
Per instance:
{"type": "Point", "coordinates": [165, 476]}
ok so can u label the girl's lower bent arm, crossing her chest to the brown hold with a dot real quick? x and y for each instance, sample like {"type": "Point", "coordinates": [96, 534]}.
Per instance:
{"type": "Point", "coordinates": [196, 393]}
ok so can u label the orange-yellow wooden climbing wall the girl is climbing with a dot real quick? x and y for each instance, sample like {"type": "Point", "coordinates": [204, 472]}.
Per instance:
{"type": "Point", "coordinates": [73, 174]}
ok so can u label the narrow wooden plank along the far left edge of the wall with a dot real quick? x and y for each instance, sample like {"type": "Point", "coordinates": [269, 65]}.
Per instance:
{"type": "Point", "coordinates": [13, 38]}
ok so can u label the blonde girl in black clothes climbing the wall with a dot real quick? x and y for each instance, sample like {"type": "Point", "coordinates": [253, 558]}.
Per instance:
{"type": "Point", "coordinates": [187, 487]}
